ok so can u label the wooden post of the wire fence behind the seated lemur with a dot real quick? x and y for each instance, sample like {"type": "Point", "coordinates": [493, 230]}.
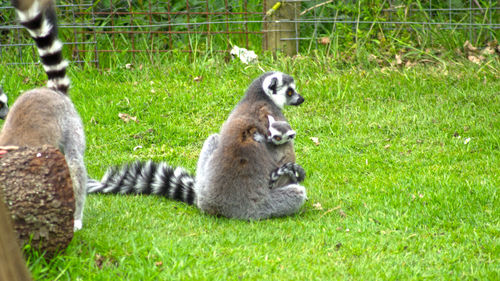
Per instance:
{"type": "Point", "coordinates": [280, 31]}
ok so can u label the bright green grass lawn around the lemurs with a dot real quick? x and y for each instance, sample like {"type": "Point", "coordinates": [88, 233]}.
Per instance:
{"type": "Point", "coordinates": [402, 179]}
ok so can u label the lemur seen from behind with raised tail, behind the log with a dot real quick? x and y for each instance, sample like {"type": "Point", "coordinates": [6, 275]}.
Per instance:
{"type": "Point", "coordinates": [47, 115]}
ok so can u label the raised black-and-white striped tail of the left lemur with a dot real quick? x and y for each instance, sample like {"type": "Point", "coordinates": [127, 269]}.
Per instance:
{"type": "Point", "coordinates": [39, 18]}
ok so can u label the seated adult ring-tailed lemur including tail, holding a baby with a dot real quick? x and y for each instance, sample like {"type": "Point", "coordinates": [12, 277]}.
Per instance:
{"type": "Point", "coordinates": [236, 175]}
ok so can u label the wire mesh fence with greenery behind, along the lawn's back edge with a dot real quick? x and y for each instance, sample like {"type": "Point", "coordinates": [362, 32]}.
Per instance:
{"type": "Point", "coordinates": [95, 30]}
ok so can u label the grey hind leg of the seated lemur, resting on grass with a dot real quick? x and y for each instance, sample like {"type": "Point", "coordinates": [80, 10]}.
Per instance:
{"type": "Point", "coordinates": [282, 201]}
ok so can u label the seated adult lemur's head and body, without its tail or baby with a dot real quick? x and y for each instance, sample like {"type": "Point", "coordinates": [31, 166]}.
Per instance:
{"type": "Point", "coordinates": [236, 175]}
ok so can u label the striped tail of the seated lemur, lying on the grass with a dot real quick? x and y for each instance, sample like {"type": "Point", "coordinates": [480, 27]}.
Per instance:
{"type": "Point", "coordinates": [147, 178]}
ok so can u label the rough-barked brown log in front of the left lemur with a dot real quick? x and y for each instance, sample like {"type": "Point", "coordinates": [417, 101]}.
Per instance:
{"type": "Point", "coordinates": [38, 193]}
